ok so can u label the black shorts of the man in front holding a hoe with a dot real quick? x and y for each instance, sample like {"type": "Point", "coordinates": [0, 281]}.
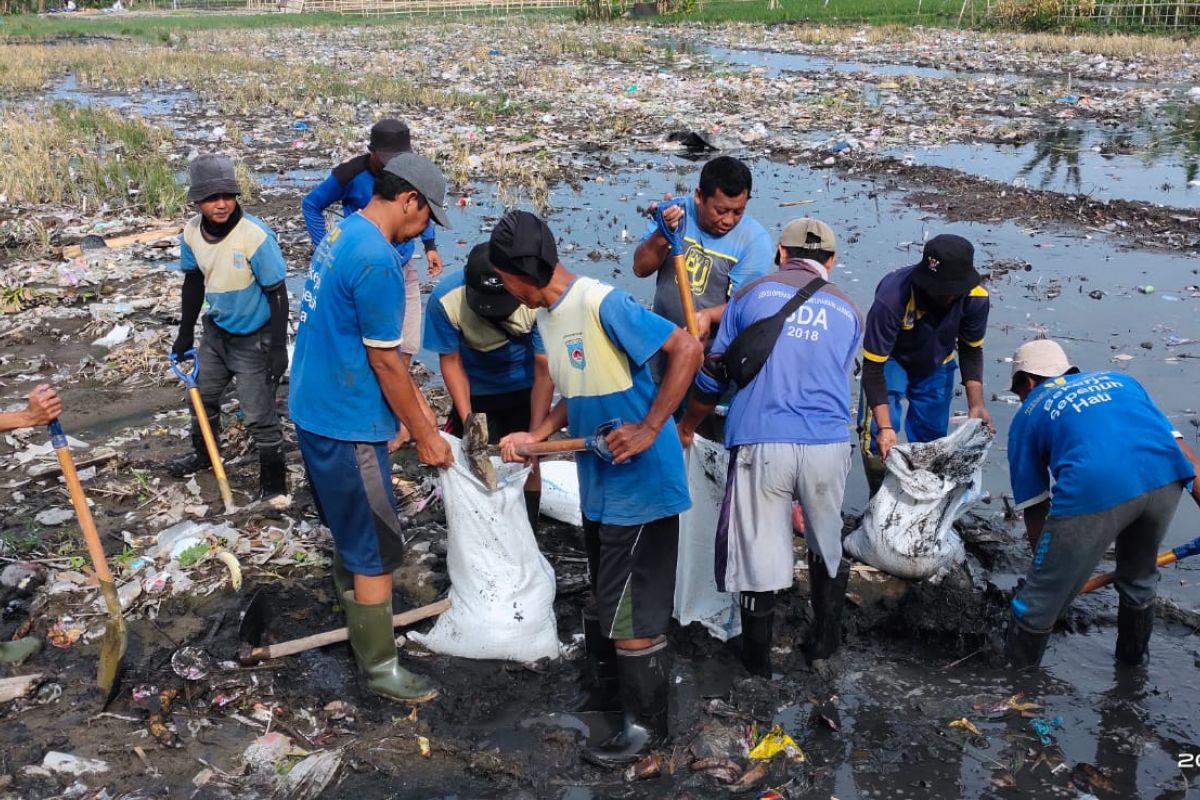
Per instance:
{"type": "Point", "coordinates": [633, 576]}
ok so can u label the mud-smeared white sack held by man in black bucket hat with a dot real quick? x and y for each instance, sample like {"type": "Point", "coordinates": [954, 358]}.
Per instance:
{"type": "Point", "coordinates": [909, 527]}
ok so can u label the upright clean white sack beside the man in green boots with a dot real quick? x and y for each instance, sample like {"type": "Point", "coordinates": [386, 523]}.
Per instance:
{"type": "Point", "coordinates": [502, 588]}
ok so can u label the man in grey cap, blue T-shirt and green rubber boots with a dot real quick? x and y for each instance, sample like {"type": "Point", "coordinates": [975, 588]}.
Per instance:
{"type": "Point", "coordinates": [350, 388]}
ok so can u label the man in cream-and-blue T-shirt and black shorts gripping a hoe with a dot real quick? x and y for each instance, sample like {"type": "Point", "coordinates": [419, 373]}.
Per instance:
{"type": "Point", "coordinates": [599, 344]}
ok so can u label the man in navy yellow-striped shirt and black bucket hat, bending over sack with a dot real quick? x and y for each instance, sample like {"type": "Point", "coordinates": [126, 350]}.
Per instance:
{"type": "Point", "coordinates": [921, 317]}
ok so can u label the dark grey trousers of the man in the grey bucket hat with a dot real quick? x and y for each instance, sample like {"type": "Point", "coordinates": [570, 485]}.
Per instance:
{"type": "Point", "coordinates": [226, 357]}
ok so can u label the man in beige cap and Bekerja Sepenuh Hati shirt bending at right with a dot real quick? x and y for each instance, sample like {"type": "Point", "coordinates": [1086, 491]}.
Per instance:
{"type": "Point", "coordinates": [1118, 472]}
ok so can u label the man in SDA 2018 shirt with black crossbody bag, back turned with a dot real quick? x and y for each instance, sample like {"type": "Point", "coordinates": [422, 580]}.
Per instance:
{"type": "Point", "coordinates": [788, 432]}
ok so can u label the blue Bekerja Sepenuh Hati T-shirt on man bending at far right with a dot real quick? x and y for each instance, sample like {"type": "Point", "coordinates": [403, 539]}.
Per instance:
{"type": "Point", "coordinates": [1100, 436]}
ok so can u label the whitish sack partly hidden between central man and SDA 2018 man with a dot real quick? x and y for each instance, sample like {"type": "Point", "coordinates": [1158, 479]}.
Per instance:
{"type": "Point", "coordinates": [697, 597]}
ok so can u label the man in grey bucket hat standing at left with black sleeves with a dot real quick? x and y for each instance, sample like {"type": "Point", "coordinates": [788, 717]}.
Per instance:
{"type": "Point", "coordinates": [235, 262]}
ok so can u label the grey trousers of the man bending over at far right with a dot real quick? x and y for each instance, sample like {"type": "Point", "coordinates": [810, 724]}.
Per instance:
{"type": "Point", "coordinates": [1071, 548]}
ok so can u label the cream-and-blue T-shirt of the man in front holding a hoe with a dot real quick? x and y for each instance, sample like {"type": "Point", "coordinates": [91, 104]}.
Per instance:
{"type": "Point", "coordinates": [599, 342]}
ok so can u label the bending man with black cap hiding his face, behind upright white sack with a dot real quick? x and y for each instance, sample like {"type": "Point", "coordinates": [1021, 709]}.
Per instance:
{"type": "Point", "coordinates": [491, 357]}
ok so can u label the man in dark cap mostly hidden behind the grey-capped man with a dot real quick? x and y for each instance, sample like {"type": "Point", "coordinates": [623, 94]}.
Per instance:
{"type": "Point", "coordinates": [352, 184]}
